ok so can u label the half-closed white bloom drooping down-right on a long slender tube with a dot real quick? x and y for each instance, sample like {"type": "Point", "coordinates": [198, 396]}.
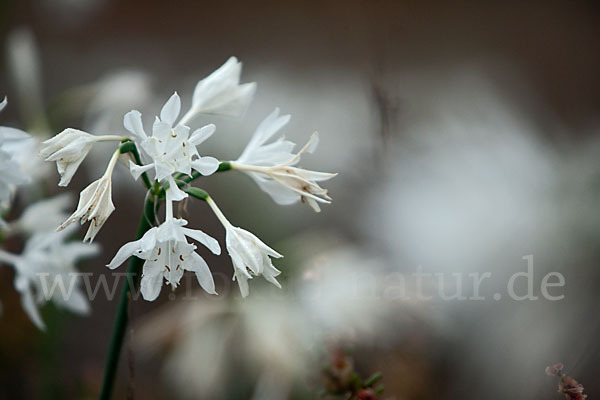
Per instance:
{"type": "Point", "coordinates": [250, 256]}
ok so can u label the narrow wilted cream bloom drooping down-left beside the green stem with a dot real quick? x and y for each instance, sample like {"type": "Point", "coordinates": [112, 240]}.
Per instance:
{"type": "Point", "coordinates": [95, 203]}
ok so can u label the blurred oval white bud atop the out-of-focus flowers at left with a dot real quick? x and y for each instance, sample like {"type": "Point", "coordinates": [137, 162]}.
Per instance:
{"type": "Point", "coordinates": [42, 216]}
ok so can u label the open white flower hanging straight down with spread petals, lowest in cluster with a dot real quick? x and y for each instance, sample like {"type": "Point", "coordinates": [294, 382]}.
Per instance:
{"type": "Point", "coordinates": [168, 254]}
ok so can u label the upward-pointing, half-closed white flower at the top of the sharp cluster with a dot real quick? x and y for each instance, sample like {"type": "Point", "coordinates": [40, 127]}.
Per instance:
{"type": "Point", "coordinates": [220, 93]}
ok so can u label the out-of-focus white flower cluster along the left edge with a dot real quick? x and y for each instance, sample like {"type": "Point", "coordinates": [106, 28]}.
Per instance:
{"type": "Point", "coordinates": [48, 259]}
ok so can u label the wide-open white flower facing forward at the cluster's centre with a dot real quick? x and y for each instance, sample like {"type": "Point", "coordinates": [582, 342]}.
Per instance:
{"type": "Point", "coordinates": [171, 148]}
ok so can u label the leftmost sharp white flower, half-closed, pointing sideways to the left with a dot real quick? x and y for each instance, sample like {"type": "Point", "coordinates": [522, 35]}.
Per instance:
{"type": "Point", "coordinates": [69, 148]}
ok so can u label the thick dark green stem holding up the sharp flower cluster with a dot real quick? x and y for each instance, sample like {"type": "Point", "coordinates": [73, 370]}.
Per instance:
{"type": "Point", "coordinates": [120, 325]}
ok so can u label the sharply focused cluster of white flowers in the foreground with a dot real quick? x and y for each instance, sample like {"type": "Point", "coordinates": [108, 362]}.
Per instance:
{"type": "Point", "coordinates": [169, 160]}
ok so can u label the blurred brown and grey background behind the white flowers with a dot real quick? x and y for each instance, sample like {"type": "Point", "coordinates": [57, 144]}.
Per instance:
{"type": "Point", "coordinates": [465, 135]}
